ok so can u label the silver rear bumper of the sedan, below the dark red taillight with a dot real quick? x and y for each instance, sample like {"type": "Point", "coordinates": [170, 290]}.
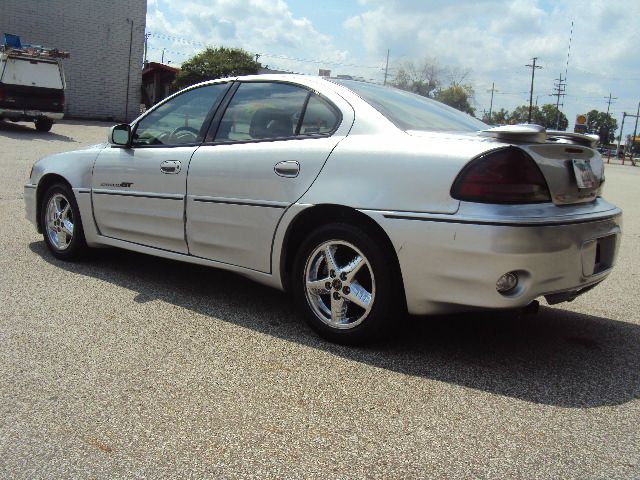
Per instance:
{"type": "Point", "coordinates": [452, 264]}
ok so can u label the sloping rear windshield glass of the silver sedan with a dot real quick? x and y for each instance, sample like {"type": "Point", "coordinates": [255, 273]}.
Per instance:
{"type": "Point", "coordinates": [409, 111]}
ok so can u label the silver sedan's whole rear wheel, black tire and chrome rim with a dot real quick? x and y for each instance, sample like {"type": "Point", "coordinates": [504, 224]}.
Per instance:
{"type": "Point", "coordinates": [357, 306]}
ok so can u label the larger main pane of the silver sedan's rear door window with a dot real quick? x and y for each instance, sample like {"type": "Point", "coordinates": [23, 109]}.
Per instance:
{"type": "Point", "coordinates": [262, 110]}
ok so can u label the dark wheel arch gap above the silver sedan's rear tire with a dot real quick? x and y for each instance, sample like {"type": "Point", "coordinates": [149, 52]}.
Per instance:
{"type": "Point", "coordinates": [318, 215]}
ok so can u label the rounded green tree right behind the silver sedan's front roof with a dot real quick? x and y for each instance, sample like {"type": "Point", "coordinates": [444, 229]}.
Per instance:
{"type": "Point", "coordinates": [216, 63]}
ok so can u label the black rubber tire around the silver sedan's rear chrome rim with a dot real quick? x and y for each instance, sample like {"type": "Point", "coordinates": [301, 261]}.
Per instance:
{"type": "Point", "coordinates": [377, 321]}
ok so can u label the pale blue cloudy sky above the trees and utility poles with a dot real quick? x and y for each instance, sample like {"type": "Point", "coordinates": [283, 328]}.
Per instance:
{"type": "Point", "coordinates": [493, 39]}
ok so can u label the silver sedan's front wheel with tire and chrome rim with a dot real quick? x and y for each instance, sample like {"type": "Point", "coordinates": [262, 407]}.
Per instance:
{"type": "Point", "coordinates": [61, 223]}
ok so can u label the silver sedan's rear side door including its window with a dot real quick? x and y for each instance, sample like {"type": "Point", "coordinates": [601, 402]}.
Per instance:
{"type": "Point", "coordinates": [270, 144]}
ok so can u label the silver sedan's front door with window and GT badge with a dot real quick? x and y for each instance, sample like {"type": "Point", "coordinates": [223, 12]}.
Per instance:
{"type": "Point", "coordinates": [138, 193]}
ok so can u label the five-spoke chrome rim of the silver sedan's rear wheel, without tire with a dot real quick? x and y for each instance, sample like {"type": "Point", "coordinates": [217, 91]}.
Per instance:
{"type": "Point", "coordinates": [339, 284]}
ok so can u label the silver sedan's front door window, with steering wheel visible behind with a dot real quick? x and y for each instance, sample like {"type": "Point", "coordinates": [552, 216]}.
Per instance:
{"type": "Point", "coordinates": [181, 120]}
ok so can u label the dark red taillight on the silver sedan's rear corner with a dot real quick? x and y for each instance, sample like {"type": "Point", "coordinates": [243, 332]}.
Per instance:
{"type": "Point", "coordinates": [507, 175]}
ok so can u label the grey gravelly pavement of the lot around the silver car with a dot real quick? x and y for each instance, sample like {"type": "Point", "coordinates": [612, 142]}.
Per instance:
{"type": "Point", "coordinates": [128, 366]}
